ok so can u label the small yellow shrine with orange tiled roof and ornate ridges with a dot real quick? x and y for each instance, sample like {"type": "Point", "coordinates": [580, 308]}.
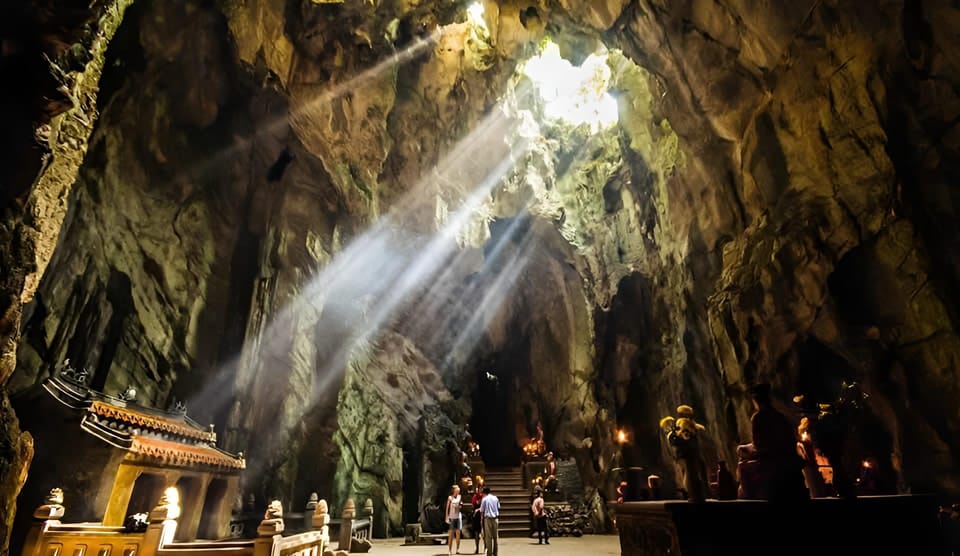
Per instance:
{"type": "Point", "coordinates": [125, 455]}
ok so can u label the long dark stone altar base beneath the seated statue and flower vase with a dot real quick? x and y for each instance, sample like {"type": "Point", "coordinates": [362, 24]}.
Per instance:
{"type": "Point", "coordinates": [822, 526]}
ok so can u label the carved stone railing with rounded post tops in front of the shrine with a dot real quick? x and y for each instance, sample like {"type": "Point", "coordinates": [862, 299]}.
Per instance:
{"type": "Point", "coordinates": [50, 537]}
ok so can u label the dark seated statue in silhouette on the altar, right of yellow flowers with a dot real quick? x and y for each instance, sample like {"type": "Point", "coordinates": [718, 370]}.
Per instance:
{"type": "Point", "coordinates": [769, 467]}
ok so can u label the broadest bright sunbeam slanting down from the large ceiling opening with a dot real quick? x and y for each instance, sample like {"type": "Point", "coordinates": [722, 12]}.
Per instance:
{"type": "Point", "coordinates": [363, 288]}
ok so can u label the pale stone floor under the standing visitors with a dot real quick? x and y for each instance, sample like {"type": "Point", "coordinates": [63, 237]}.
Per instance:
{"type": "Point", "coordinates": [593, 545]}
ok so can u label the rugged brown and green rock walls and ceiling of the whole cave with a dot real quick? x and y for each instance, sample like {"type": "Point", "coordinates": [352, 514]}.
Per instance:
{"type": "Point", "coordinates": [325, 224]}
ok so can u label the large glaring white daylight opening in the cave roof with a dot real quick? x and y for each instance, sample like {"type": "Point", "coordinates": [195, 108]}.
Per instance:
{"type": "Point", "coordinates": [574, 94]}
